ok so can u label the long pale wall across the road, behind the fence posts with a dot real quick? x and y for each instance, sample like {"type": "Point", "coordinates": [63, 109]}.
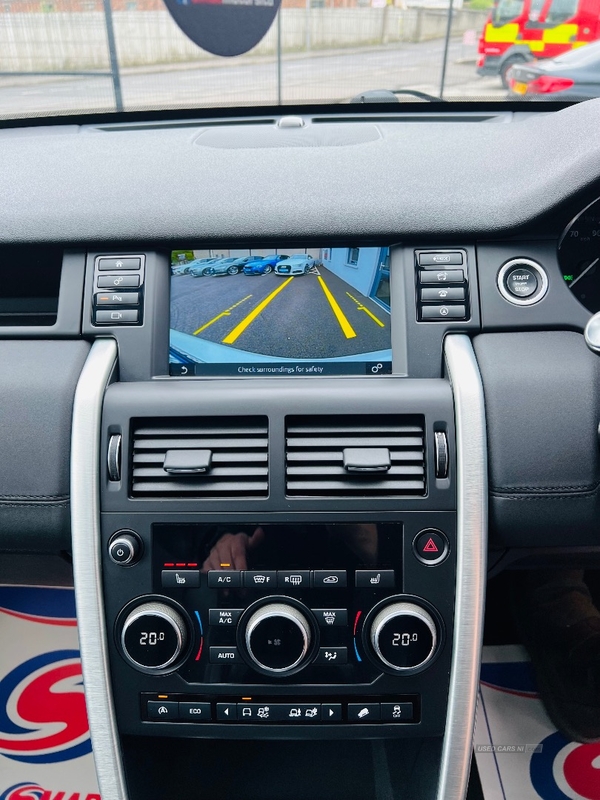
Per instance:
{"type": "Point", "coordinates": [75, 41]}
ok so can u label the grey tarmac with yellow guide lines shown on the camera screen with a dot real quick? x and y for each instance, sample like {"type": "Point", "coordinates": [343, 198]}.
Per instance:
{"type": "Point", "coordinates": [312, 316]}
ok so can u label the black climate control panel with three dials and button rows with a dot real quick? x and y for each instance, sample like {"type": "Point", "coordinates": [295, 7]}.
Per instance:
{"type": "Point", "coordinates": [333, 624]}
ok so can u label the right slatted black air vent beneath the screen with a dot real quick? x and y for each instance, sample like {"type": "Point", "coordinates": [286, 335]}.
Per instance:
{"type": "Point", "coordinates": [316, 465]}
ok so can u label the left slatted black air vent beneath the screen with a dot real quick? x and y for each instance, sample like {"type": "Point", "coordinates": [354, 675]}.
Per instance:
{"type": "Point", "coordinates": [238, 463]}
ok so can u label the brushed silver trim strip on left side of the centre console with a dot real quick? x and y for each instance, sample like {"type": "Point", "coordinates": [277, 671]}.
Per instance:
{"type": "Point", "coordinates": [85, 533]}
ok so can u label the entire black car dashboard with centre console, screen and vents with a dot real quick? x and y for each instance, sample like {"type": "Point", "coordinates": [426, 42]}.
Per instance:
{"type": "Point", "coordinates": [372, 496]}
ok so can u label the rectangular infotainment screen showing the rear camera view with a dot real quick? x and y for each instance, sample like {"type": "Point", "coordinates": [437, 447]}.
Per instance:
{"type": "Point", "coordinates": [280, 312]}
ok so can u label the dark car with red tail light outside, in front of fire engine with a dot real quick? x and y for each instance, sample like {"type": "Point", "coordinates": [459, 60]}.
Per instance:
{"type": "Point", "coordinates": [572, 76]}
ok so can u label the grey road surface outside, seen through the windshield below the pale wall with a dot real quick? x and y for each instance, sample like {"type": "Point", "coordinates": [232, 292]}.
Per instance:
{"type": "Point", "coordinates": [332, 76]}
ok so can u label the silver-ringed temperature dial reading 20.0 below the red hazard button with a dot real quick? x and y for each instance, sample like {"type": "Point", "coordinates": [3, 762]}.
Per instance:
{"type": "Point", "coordinates": [404, 636]}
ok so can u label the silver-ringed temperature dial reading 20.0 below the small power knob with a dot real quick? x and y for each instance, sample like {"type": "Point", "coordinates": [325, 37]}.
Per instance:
{"type": "Point", "coordinates": [154, 636]}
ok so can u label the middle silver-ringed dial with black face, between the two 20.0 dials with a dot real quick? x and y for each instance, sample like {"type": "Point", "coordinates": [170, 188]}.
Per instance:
{"type": "Point", "coordinates": [278, 638]}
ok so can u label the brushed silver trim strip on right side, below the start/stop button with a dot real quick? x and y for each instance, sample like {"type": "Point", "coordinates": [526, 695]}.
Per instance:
{"type": "Point", "coordinates": [471, 553]}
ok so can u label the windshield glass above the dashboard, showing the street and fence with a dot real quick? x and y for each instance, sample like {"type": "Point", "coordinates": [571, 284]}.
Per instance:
{"type": "Point", "coordinates": [60, 57]}
